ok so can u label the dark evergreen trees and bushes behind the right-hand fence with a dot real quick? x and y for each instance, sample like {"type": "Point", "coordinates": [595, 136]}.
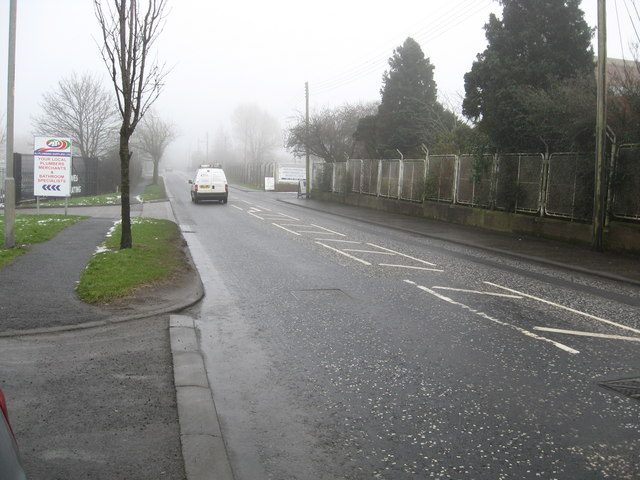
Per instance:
{"type": "Point", "coordinates": [533, 89]}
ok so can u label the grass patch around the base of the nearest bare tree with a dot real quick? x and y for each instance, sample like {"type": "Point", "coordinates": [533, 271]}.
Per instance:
{"type": "Point", "coordinates": [156, 256]}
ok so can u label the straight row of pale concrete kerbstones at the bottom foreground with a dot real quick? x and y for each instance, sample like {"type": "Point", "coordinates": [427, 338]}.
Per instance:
{"type": "Point", "coordinates": [203, 449]}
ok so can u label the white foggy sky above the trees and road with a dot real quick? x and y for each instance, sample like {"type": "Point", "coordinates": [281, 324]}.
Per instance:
{"type": "Point", "coordinates": [221, 55]}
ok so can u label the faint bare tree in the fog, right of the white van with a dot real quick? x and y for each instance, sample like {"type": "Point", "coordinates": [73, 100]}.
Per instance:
{"type": "Point", "coordinates": [256, 131]}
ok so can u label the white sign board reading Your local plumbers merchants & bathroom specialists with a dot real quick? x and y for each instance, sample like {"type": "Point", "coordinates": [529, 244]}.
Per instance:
{"type": "Point", "coordinates": [52, 167]}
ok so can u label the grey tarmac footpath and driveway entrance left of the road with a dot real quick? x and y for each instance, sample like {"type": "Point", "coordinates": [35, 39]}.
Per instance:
{"type": "Point", "coordinates": [93, 395]}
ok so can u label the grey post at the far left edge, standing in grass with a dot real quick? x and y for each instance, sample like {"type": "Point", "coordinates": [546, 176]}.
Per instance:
{"type": "Point", "coordinates": [10, 182]}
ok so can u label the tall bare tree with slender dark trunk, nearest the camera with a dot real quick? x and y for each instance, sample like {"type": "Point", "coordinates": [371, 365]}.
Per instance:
{"type": "Point", "coordinates": [129, 31]}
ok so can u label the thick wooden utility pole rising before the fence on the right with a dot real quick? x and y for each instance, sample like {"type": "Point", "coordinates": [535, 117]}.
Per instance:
{"type": "Point", "coordinates": [601, 134]}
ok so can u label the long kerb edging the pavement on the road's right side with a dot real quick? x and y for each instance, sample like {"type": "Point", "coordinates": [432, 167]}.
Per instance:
{"type": "Point", "coordinates": [530, 258]}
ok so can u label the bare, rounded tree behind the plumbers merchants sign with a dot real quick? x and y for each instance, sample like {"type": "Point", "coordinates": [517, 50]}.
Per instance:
{"type": "Point", "coordinates": [79, 108]}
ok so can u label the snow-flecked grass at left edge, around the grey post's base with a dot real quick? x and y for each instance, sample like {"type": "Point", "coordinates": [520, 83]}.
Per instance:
{"type": "Point", "coordinates": [30, 229]}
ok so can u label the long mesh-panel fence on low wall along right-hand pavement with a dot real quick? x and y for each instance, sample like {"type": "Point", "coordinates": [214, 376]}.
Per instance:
{"type": "Point", "coordinates": [558, 185]}
